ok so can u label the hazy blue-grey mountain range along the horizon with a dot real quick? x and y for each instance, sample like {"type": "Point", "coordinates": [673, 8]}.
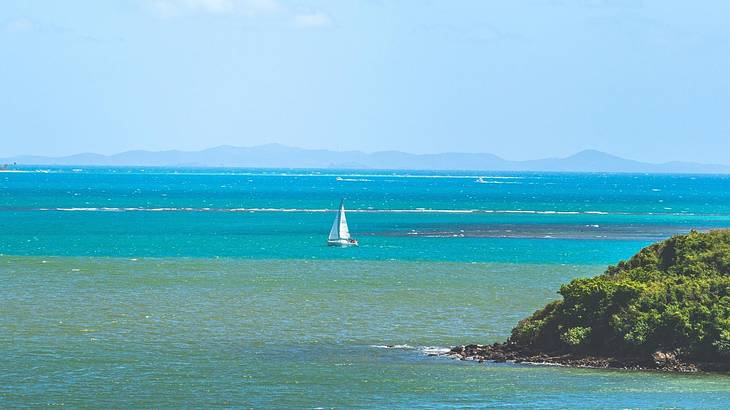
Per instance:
{"type": "Point", "coordinates": [280, 156]}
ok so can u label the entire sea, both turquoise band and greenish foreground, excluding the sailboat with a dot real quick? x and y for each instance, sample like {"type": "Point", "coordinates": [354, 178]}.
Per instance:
{"type": "Point", "coordinates": [213, 288]}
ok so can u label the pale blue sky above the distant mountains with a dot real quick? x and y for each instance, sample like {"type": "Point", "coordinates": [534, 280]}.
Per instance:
{"type": "Point", "coordinates": [522, 79]}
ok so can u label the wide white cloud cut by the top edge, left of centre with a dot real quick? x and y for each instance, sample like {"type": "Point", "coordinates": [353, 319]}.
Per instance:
{"type": "Point", "coordinates": [169, 8]}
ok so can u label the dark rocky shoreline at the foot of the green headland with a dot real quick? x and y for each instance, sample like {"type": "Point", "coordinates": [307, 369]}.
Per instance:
{"type": "Point", "coordinates": [506, 352]}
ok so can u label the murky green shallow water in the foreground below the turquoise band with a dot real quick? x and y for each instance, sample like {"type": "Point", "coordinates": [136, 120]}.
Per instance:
{"type": "Point", "coordinates": [177, 332]}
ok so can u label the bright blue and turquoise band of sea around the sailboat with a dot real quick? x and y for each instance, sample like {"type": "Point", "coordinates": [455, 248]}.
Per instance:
{"type": "Point", "coordinates": [523, 217]}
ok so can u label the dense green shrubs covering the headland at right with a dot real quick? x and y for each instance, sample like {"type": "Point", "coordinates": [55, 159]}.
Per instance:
{"type": "Point", "coordinates": [671, 296]}
